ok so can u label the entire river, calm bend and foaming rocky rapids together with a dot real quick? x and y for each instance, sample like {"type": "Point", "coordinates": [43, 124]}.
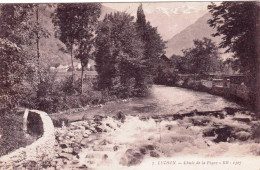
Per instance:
{"type": "Point", "coordinates": [136, 140]}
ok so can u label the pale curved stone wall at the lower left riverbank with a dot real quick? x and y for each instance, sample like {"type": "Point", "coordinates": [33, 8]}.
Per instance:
{"type": "Point", "coordinates": [41, 149]}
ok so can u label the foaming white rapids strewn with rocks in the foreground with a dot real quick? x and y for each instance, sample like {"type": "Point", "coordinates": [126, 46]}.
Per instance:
{"type": "Point", "coordinates": [124, 142]}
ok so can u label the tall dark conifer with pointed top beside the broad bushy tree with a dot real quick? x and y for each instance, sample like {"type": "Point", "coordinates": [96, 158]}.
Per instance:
{"type": "Point", "coordinates": [153, 44]}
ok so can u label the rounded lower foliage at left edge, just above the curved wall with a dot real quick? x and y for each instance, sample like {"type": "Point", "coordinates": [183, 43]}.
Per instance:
{"type": "Point", "coordinates": [12, 64]}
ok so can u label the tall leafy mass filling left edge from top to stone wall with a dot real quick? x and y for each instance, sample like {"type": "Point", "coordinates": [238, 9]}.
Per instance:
{"type": "Point", "coordinates": [15, 35]}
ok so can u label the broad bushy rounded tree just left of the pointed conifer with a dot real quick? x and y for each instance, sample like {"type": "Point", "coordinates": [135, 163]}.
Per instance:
{"type": "Point", "coordinates": [118, 55]}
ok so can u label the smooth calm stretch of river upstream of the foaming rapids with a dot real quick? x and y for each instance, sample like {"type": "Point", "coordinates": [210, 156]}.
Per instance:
{"type": "Point", "coordinates": [168, 100]}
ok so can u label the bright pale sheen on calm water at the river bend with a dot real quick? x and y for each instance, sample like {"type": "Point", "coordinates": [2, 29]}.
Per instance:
{"type": "Point", "coordinates": [175, 99]}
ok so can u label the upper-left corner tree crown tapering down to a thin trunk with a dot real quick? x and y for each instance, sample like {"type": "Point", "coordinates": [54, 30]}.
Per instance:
{"type": "Point", "coordinates": [20, 24]}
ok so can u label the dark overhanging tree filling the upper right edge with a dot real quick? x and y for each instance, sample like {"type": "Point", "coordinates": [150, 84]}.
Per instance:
{"type": "Point", "coordinates": [238, 24]}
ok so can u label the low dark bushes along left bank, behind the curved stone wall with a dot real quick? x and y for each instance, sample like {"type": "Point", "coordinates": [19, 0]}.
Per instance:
{"type": "Point", "coordinates": [51, 96]}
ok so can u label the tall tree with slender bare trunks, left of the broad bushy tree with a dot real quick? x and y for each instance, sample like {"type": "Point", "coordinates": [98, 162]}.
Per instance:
{"type": "Point", "coordinates": [75, 23]}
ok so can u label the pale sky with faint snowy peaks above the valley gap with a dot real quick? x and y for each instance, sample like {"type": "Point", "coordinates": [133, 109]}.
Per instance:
{"type": "Point", "coordinates": [169, 17]}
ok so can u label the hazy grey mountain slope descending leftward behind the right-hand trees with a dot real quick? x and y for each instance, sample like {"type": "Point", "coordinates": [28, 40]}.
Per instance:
{"type": "Point", "coordinates": [185, 38]}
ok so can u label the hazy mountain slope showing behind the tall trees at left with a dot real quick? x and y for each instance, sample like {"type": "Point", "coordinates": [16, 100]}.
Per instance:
{"type": "Point", "coordinates": [50, 48]}
